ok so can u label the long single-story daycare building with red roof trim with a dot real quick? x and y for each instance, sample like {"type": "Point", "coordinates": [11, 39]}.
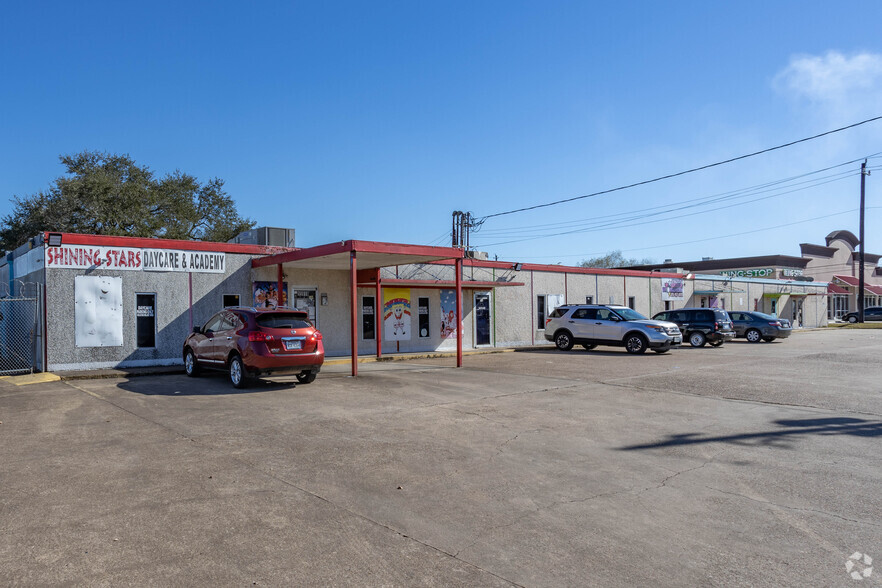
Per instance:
{"type": "Point", "coordinates": [76, 301]}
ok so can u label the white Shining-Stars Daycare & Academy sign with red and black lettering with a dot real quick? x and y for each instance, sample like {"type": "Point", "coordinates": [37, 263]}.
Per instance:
{"type": "Point", "coordinates": [127, 258]}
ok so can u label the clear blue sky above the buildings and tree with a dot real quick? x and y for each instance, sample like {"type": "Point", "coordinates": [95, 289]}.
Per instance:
{"type": "Point", "coordinates": [376, 120]}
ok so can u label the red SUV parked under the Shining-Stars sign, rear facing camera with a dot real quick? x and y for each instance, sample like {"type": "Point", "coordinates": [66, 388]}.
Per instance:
{"type": "Point", "coordinates": [252, 342]}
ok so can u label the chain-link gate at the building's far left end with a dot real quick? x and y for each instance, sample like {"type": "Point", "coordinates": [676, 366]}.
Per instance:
{"type": "Point", "coordinates": [19, 332]}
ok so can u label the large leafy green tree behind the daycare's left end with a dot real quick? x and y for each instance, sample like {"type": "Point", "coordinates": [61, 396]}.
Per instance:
{"type": "Point", "coordinates": [109, 194]}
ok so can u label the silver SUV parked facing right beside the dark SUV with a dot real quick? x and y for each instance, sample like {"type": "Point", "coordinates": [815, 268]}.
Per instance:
{"type": "Point", "coordinates": [591, 325]}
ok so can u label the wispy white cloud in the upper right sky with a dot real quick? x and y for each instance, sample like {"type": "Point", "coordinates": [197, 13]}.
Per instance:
{"type": "Point", "coordinates": [833, 77]}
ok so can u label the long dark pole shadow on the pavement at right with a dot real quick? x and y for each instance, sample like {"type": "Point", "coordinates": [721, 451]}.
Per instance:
{"type": "Point", "coordinates": [792, 429]}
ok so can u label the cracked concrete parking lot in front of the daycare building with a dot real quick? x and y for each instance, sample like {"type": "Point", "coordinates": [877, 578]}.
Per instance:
{"type": "Point", "coordinates": [745, 465]}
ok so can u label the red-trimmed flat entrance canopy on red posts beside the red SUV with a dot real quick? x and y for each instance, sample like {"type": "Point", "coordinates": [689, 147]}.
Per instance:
{"type": "Point", "coordinates": [358, 256]}
